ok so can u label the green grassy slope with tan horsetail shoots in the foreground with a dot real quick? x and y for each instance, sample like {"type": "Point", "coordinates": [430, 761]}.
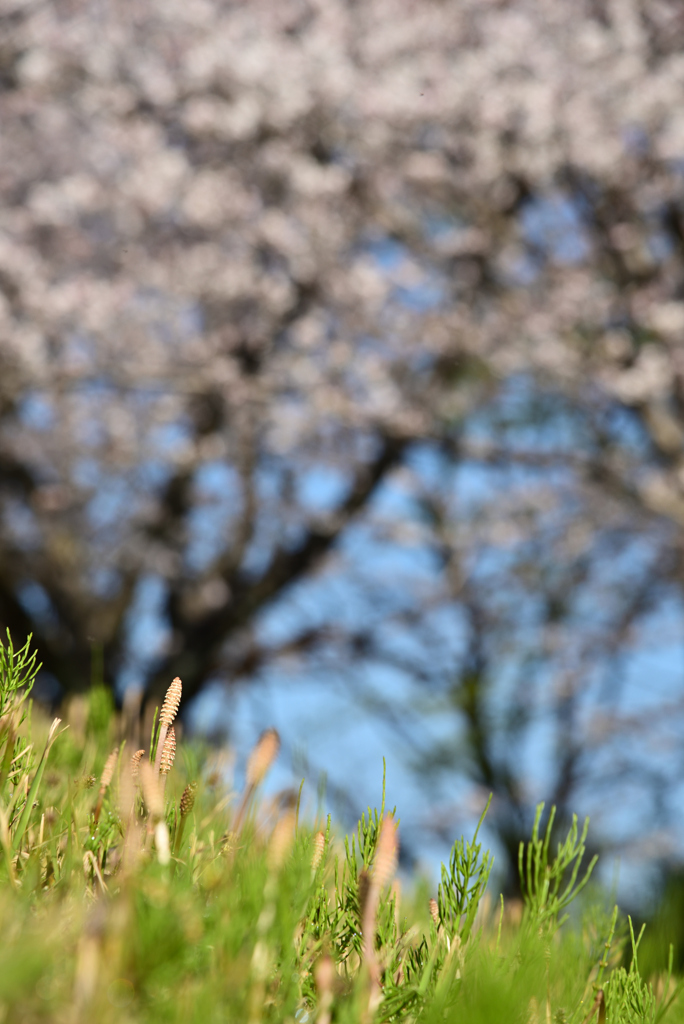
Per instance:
{"type": "Point", "coordinates": [135, 887]}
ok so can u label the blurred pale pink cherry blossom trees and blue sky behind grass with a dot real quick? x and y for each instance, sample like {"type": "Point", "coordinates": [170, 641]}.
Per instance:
{"type": "Point", "coordinates": [343, 374]}
